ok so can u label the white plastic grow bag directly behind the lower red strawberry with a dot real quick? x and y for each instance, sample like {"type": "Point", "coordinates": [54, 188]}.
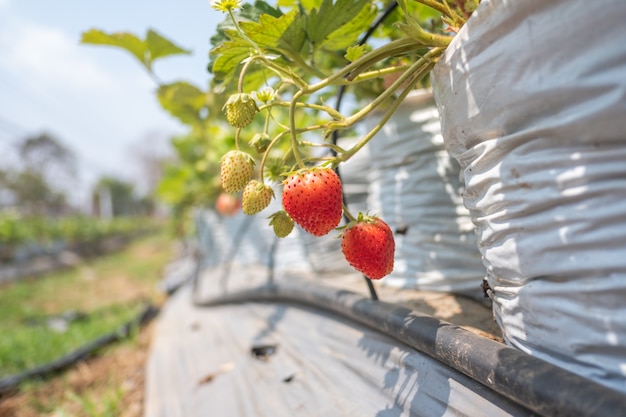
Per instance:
{"type": "Point", "coordinates": [414, 185]}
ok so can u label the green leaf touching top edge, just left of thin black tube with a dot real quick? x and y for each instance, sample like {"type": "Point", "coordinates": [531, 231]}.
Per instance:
{"type": "Point", "coordinates": [330, 17]}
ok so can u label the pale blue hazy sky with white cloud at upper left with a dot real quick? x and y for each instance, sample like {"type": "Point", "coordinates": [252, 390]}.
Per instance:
{"type": "Point", "coordinates": [98, 101]}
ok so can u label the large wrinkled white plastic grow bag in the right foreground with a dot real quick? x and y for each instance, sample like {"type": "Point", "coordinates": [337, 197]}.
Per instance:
{"type": "Point", "coordinates": [532, 96]}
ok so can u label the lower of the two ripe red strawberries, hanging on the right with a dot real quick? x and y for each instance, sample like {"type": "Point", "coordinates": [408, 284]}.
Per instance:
{"type": "Point", "coordinates": [368, 245]}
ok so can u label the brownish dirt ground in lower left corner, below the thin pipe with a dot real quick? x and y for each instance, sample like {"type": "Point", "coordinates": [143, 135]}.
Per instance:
{"type": "Point", "coordinates": [115, 377]}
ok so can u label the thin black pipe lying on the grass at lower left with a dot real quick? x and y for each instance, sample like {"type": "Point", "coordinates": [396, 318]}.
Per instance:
{"type": "Point", "coordinates": [11, 382]}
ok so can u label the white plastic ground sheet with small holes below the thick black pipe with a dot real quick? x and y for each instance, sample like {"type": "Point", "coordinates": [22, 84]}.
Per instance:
{"type": "Point", "coordinates": [202, 363]}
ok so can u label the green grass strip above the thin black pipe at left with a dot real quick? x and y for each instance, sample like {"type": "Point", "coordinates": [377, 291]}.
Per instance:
{"type": "Point", "coordinates": [110, 290]}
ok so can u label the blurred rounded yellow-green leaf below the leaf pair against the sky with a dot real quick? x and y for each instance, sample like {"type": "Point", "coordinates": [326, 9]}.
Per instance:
{"type": "Point", "coordinates": [183, 101]}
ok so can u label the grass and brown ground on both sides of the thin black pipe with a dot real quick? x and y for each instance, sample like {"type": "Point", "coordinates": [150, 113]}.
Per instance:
{"type": "Point", "coordinates": [94, 298]}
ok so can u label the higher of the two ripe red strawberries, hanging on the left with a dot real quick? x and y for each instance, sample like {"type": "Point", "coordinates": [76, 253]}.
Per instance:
{"type": "Point", "coordinates": [313, 199]}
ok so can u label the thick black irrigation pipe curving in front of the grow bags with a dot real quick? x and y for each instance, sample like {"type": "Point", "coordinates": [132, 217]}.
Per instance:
{"type": "Point", "coordinates": [540, 387]}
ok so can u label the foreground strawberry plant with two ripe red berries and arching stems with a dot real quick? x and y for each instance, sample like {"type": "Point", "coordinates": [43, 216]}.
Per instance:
{"type": "Point", "coordinates": [291, 60]}
